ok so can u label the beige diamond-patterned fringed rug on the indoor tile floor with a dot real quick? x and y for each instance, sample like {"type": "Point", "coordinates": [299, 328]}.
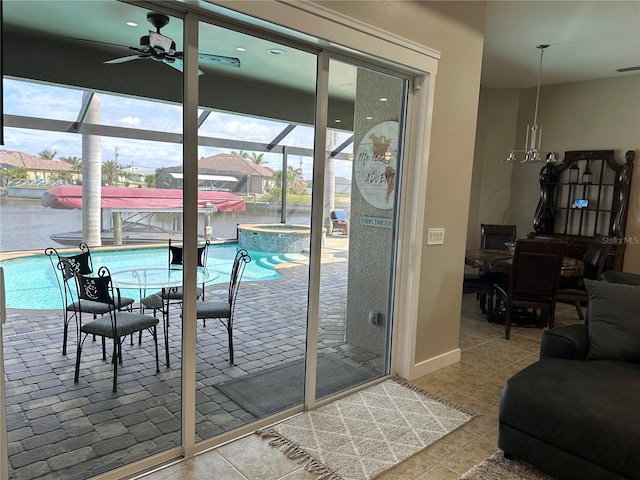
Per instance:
{"type": "Point", "coordinates": [364, 434]}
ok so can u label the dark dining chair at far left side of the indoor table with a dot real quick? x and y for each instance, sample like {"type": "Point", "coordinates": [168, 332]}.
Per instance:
{"type": "Point", "coordinates": [492, 237]}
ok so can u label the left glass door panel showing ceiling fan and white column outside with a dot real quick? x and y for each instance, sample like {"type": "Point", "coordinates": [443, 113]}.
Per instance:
{"type": "Point", "coordinates": [92, 137]}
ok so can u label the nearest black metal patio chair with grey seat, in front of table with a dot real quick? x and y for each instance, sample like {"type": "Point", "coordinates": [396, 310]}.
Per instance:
{"type": "Point", "coordinates": [114, 324]}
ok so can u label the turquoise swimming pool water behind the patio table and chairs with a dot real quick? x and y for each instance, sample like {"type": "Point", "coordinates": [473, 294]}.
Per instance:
{"type": "Point", "coordinates": [30, 281]}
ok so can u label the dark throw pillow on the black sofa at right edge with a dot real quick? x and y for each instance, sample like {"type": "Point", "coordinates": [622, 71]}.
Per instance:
{"type": "Point", "coordinates": [614, 321]}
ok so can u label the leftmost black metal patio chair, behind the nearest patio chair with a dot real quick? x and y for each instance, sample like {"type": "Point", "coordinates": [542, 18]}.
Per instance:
{"type": "Point", "coordinates": [65, 268]}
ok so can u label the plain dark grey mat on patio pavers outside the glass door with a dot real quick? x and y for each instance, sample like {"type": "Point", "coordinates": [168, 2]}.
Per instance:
{"type": "Point", "coordinates": [275, 389]}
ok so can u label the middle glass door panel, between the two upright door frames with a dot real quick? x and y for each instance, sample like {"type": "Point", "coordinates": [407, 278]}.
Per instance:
{"type": "Point", "coordinates": [256, 142]}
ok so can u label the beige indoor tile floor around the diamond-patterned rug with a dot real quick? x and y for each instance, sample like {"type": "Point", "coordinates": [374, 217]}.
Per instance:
{"type": "Point", "coordinates": [476, 382]}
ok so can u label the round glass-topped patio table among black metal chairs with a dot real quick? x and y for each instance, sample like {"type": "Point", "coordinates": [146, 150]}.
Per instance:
{"type": "Point", "coordinates": [158, 279]}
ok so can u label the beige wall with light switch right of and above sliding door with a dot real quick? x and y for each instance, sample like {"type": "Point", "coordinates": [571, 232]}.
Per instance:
{"type": "Point", "coordinates": [456, 30]}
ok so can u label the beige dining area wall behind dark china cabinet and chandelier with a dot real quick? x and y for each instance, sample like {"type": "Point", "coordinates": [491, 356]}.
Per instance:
{"type": "Point", "coordinates": [594, 115]}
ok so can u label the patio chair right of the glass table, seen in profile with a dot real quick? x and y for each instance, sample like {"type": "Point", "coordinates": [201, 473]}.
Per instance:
{"type": "Point", "coordinates": [223, 310]}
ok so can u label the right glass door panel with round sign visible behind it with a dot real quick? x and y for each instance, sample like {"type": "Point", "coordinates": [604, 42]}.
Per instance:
{"type": "Point", "coordinates": [360, 208]}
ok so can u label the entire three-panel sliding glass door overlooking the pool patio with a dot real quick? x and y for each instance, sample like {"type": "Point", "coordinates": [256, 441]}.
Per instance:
{"type": "Point", "coordinates": [125, 155]}
